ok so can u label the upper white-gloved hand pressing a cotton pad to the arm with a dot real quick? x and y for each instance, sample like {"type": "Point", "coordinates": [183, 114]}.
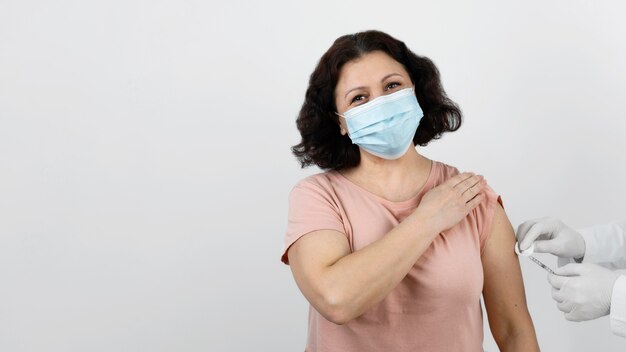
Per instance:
{"type": "Point", "coordinates": [550, 235]}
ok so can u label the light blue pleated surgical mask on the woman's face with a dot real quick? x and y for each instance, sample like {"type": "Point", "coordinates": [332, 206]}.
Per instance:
{"type": "Point", "coordinates": [385, 126]}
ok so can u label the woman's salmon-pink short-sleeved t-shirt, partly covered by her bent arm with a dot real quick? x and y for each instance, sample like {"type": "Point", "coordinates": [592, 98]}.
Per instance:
{"type": "Point", "coordinates": [436, 307]}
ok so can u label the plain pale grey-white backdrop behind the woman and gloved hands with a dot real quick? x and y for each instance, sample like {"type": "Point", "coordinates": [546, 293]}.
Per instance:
{"type": "Point", "coordinates": [145, 161]}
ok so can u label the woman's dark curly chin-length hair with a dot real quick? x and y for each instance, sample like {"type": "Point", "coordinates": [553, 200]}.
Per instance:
{"type": "Point", "coordinates": [322, 144]}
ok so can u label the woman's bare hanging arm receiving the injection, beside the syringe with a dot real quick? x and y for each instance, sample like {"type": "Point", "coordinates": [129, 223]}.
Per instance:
{"type": "Point", "coordinates": [503, 290]}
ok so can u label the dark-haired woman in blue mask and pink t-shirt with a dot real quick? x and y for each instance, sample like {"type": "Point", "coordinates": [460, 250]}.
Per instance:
{"type": "Point", "coordinates": [393, 250]}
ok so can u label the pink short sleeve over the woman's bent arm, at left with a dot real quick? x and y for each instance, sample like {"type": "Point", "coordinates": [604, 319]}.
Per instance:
{"type": "Point", "coordinates": [311, 208]}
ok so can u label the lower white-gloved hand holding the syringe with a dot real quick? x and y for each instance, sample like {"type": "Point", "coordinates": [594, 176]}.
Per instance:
{"type": "Point", "coordinates": [583, 291]}
